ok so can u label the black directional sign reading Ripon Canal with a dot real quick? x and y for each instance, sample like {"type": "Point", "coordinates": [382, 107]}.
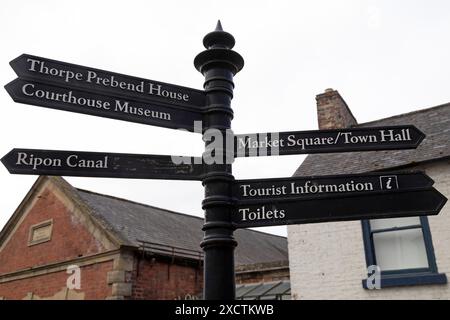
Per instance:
{"type": "Point", "coordinates": [97, 164]}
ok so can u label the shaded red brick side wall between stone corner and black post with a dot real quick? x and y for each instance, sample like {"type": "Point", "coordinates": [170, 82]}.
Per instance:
{"type": "Point", "coordinates": [161, 279]}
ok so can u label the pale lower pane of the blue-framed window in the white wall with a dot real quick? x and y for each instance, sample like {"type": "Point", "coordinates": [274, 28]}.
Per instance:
{"type": "Point", "coordinates": [398, 250]}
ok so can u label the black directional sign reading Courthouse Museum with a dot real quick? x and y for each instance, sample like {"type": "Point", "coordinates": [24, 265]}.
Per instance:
{"type": "Point", "coordinates": [97, 104]}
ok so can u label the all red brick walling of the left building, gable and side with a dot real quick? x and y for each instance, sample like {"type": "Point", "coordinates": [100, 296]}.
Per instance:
{"type": "Point", "coordinates": [39, 271]}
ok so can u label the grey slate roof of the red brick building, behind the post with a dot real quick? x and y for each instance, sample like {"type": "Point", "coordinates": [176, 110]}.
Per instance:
{"type": "Point", "coordinates": [135, 222]}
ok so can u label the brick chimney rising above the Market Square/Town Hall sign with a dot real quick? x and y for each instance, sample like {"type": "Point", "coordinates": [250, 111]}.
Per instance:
{"type": "Point", "coordinates": [333, 112]}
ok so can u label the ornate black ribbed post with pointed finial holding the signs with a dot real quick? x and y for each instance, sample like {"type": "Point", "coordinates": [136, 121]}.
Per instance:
{"type": "Point", "coordinates": [218, 63]}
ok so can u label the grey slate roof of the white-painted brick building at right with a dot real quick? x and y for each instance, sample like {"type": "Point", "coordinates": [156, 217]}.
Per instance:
{"type": "Point", "coordinates": [434, 122]}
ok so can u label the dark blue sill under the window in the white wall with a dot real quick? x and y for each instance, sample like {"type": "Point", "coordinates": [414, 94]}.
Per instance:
{"type": "Point", "coordinates": [410, 279]}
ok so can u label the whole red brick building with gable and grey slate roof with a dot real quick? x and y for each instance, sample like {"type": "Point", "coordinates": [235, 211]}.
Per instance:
{"type": "Point", "coordinates": [122, 249]}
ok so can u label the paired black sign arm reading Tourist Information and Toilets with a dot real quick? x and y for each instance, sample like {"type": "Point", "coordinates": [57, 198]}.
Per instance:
{"type": "Point", "coordinates": [281, 201]}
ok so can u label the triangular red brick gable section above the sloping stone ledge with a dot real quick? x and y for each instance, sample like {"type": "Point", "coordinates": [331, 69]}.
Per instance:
{"type": "Point", "coordinates": [69, 238]}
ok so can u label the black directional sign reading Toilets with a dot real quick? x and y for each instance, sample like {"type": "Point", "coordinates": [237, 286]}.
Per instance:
{"type": "Point", "coordinates": [407, 203]}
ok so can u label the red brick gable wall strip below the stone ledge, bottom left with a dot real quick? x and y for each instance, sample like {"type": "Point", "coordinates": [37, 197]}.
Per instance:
{"type": "Point", "coordinates": [52, 285]}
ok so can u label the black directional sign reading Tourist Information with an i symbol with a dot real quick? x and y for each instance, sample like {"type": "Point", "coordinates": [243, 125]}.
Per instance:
{"type": "Point", "coordinates": [279, 189]}
